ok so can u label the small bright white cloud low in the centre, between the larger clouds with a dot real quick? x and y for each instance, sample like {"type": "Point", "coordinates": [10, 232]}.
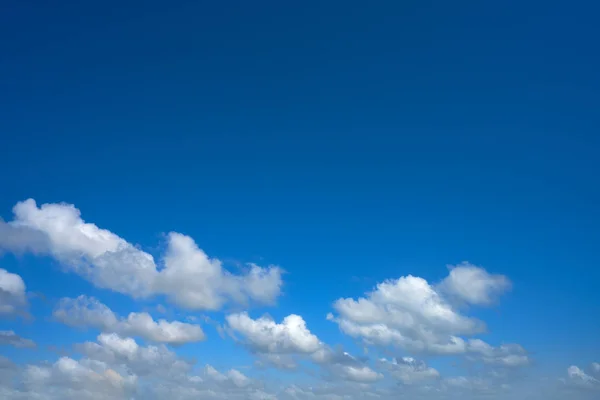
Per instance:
{"type": "Point", "coordinates": [267, 336]}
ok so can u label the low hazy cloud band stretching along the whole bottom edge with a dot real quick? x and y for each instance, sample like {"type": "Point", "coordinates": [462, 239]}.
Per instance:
{"type": "Point", "coordinates": [115, 367]}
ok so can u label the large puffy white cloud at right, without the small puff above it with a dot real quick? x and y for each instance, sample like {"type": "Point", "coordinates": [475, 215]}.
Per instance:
{"type": "Point", "coordinates": [406, 312]}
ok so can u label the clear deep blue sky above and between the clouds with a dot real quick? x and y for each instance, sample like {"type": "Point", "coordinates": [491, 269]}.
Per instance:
{"type": "Point", "coordinates": [347, 141]}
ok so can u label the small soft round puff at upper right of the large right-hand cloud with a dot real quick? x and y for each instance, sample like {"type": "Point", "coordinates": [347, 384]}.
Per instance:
{"type": "Point", "coordinates": [474, 285]}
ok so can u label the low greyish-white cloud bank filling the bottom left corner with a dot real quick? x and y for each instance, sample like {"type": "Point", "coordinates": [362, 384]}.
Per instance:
{"type": "Point", "coordinates": [116, 367]}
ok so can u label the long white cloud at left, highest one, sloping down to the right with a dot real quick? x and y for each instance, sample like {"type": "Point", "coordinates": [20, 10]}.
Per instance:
{"type": "Point", "coordinates": [188, 278]}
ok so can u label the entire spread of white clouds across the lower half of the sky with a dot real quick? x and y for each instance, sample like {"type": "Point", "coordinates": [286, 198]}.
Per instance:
{"type": "Point", "coordinates": [408, 320]}
